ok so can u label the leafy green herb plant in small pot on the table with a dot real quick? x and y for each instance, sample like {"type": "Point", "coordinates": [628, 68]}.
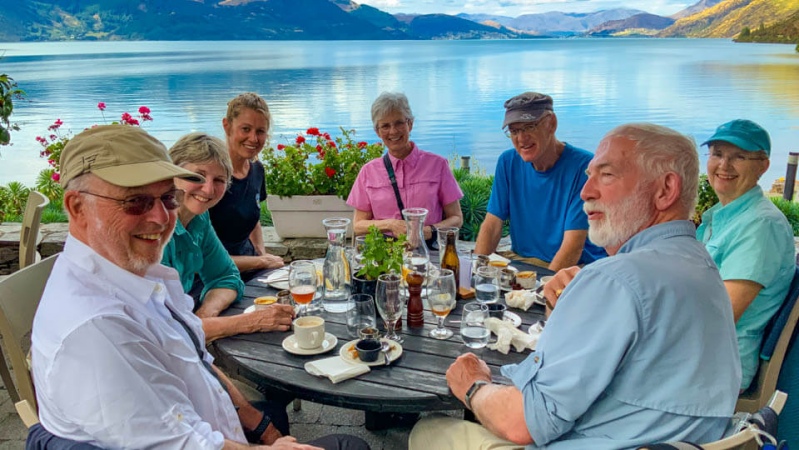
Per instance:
{"type": "Point", "coordinates": [381, 254]}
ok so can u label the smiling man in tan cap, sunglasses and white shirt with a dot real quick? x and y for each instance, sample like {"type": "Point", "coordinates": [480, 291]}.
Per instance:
{"type": "Point", "coordinates": [118, 356]}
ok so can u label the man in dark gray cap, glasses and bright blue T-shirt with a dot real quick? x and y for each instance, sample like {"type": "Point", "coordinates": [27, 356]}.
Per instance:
{"type": "Point", "coordinates": [537, 186]}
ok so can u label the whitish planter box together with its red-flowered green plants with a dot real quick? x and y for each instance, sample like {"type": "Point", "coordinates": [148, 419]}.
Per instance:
{"type": "Point", "coordinates": [308, 179]}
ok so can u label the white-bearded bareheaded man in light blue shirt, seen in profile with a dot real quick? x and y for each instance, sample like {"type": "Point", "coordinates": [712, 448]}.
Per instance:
{"type": "Point", "coordinates": [641, 346]}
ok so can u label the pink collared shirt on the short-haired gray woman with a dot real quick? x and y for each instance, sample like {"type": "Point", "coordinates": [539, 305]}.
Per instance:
{"type": "Point", "coordinates": [424, 180]}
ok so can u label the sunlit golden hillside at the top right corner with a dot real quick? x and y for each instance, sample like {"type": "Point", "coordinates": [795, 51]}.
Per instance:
{"type": "Point", "coordinates": [728, 18]}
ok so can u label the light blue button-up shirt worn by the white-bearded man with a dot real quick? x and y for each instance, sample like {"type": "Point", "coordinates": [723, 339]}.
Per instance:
{"type": "Point", "coordinates": [640, 349]}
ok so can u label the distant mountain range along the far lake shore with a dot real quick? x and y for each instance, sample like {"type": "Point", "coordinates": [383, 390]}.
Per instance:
{"type": "Point", "coordinates": [46, 20]}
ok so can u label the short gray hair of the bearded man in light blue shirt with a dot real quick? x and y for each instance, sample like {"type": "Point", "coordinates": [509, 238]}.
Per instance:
{"type": "Point", "coordinates": [660, 150]}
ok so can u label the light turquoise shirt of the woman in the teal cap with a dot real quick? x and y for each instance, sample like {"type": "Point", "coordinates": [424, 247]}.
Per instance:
{"type": "Point", "coordinates": [750, 239]}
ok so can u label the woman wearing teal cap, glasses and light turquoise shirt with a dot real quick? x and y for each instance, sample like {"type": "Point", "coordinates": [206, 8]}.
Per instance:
{"type": "Point", "coordinates": [748, 237]}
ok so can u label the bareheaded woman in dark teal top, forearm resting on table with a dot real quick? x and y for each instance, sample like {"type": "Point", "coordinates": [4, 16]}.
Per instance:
{"type": "Point", "coordinates": [195, 248]}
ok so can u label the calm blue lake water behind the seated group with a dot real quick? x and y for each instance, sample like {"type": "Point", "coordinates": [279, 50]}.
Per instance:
{"type": "Point", "coordinates": [456, 88]}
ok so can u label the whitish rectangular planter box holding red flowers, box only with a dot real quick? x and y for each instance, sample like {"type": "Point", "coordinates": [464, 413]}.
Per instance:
{"type": "Point", "coordinates": [301, 216]}
